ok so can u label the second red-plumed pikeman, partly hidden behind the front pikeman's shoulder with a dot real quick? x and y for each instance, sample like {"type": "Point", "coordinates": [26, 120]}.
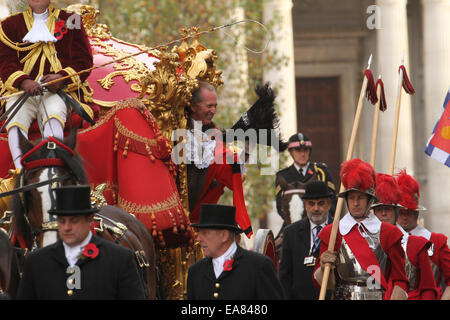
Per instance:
{"type": "Point", "coordinates": [418, 264]}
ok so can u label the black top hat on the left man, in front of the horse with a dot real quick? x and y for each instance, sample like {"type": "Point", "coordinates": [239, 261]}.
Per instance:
{"type": "Point", "coordinates": [73, 201]}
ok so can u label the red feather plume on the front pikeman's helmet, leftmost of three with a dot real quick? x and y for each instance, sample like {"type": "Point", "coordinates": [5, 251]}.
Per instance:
{"type": "Point", "coordinates": [358, 175]}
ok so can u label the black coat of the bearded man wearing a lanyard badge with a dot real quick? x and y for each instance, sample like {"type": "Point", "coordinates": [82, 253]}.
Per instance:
{"type": "Point", "coordinates": [295, 275]}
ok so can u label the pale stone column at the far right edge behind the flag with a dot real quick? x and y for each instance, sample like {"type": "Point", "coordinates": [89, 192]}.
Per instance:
{"type": "Point", "coordinates": [436, 55]}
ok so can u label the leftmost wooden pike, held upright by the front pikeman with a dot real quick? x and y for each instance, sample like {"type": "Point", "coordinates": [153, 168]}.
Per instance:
{"type": "Point", "coordinates": [367, 89]}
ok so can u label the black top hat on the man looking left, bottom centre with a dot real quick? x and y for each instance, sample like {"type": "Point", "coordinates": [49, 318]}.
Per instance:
{"type": "Point", "coordinates": [216, 216]}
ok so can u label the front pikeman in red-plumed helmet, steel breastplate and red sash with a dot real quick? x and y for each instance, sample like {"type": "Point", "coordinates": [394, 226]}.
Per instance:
{"type": "Point", "coordinates": [368, 262]}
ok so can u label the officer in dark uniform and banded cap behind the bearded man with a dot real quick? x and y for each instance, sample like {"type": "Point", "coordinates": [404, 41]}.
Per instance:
{"type": "Point", "coordinates": [292, 180]}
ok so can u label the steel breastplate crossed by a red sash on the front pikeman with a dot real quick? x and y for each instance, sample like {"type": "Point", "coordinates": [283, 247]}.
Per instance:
{"type": "Point", "coordinates": [352, 281]}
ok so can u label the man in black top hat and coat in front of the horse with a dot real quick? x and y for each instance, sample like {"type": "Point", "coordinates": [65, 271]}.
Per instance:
{"type": "Point", "coordinates": [79, 265]}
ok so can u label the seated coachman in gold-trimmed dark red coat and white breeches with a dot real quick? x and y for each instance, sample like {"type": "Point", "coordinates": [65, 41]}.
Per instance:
{"type": "Point", "coordinates": [37, 47]}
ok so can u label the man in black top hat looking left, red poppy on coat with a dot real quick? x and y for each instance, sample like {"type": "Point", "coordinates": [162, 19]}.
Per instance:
{"type": "Point", "coordinates": [229, 272]}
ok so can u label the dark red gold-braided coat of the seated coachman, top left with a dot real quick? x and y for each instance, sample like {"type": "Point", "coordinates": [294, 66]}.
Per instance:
{"type": "Point", "coordinates": [67, 56]}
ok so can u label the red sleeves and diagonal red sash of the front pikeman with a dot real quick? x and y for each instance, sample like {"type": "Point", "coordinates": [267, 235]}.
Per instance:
{"type": "Point", "coordinates": [390, 241]}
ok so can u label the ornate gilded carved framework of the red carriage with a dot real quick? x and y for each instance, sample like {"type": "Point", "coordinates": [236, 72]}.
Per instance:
{"type": "Point", "coordinates": [163, 80]}
